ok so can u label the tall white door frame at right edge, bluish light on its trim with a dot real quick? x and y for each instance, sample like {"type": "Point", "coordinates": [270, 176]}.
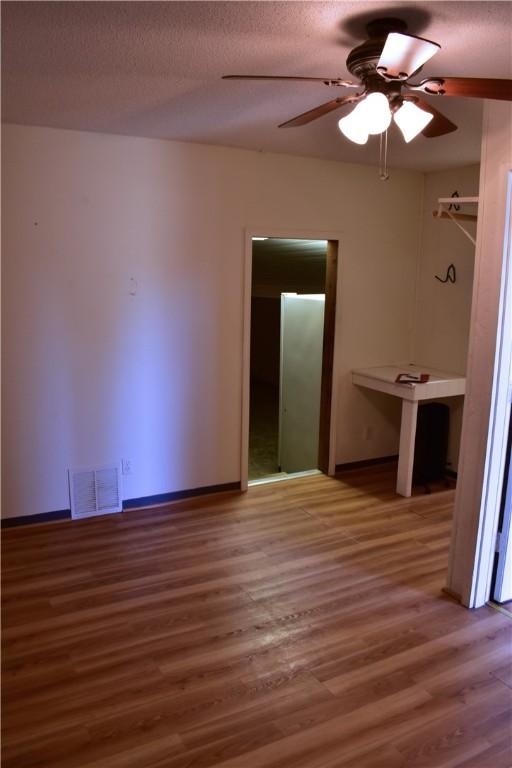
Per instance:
{"type": "Point", "coordinates": [475, 519]}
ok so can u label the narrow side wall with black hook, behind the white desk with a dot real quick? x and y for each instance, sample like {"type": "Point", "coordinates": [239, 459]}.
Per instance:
{"type": "Point", "coordinates": [443, 311]}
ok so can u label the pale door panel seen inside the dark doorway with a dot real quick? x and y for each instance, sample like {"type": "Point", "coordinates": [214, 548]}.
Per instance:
{"type": "Point", "coordinates": [302, 329]}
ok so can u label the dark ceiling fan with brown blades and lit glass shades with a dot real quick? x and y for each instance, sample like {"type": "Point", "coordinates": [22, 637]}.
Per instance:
{"type": "Point", "coordinates": [384, 64]}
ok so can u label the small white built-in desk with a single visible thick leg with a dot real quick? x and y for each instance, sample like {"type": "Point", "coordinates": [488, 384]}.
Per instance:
{"type": "Point", "coordinates": [440, 384]}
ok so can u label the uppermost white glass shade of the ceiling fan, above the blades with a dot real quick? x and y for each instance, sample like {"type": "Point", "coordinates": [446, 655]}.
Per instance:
{"type": "Point", "coordinates": [403, 55]}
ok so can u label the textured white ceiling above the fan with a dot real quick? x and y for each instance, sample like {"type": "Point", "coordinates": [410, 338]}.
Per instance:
{"type": "Point", "coordinates": [154, 69]}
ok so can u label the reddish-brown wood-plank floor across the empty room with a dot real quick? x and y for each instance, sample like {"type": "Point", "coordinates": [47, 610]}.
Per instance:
{"type": "Point", "coordinates": [301, 625]}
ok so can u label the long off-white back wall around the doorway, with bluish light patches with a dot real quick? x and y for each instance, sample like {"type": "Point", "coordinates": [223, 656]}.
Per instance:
{"type": "Point", "coordinates": [92, 373]}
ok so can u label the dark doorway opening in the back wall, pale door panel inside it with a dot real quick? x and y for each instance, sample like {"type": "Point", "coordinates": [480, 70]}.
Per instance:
{"type": "Point", "coordinates": [293, 299]}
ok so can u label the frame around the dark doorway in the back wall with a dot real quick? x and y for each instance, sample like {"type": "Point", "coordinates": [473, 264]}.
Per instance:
{"type": "Point", "coordinates": [330, 355]}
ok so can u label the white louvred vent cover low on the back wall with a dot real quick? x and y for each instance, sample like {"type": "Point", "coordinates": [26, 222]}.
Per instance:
{"type": "Point", "coordinates": [95, 491]}
